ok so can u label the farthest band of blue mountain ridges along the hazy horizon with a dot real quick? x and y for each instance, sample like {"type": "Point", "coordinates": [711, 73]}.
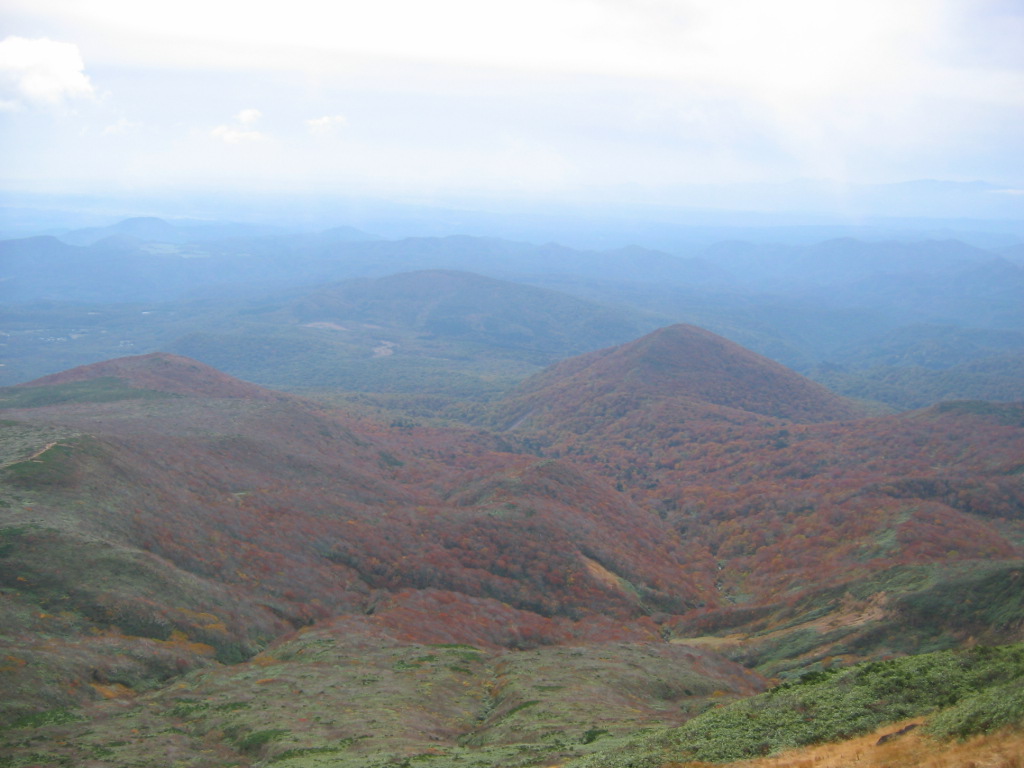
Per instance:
{"type": "Point", "coordinates": [173, 259]}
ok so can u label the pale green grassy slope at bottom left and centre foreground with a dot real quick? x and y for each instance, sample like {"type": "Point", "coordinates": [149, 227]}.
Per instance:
{"type": "Point", "coordinates": [348, 694]}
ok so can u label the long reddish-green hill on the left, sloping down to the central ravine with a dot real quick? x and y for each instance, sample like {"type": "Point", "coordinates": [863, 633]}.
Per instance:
{"type": "Point", "coordinates": [234, 515]}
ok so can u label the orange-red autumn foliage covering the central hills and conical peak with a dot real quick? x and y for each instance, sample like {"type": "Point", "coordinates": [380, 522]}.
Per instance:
{"type": "Point", "coordinates": [647, 501]}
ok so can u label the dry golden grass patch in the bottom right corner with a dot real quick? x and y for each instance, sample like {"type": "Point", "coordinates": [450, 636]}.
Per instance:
{"type": "Point", "coordinates": [915, 750]}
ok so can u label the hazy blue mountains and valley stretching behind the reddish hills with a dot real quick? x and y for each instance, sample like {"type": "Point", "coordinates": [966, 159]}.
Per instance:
{"type": "Point", "coordinates": [244, 300]}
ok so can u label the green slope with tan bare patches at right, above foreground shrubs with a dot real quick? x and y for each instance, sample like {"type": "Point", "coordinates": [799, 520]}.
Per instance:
{"type": "Point", "coordinates": [902, 611]}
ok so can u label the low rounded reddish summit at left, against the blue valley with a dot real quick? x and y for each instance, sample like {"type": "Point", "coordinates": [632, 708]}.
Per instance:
{"type": "Point", "coordinates": [163, 373]}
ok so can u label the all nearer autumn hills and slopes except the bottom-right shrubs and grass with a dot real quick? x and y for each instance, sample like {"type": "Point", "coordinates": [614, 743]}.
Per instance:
{"type": "Point", "coordinates": [194, 566]}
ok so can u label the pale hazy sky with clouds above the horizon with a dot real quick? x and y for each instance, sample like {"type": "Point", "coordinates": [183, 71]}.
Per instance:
{"type": "Point", "coordinates": [594, 98]}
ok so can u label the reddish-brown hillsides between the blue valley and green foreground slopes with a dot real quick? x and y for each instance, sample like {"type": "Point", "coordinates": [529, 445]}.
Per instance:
{"type": "Point", "coordinates": [157, 536]}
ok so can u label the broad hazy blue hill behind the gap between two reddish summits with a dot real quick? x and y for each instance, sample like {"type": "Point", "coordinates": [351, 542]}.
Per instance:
{"type": "Point", "coordinates": [394, 333]}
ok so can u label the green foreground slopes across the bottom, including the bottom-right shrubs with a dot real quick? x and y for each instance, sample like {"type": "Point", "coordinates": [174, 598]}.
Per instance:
{"type": "Point", "coordinates": [349, 695]}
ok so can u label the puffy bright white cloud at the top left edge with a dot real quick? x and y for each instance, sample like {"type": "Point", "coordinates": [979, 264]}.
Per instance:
{"type": "Point", "coordinates": [41, 73]}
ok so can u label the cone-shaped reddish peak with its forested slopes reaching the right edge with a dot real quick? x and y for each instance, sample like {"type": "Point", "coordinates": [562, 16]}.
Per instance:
{"type": "Point", "coordinates": [664, 418]}
